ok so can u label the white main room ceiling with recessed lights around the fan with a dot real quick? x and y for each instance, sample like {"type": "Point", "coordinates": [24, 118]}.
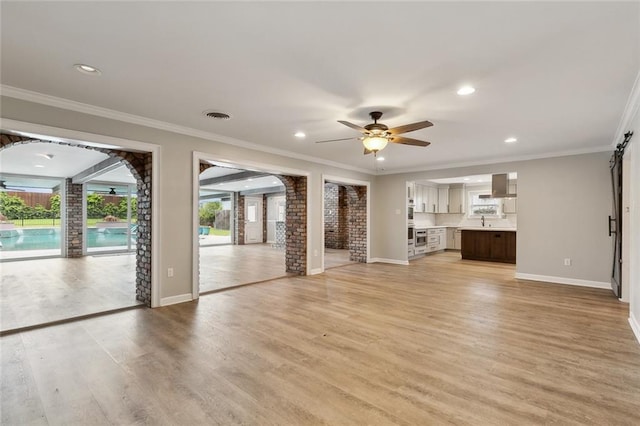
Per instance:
{"type": "Point", "coordinates": [556, 75]}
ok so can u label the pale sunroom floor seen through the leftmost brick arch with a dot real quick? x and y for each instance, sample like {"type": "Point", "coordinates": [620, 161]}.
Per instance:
{"type": "Point", "coordinates": [46, 290]}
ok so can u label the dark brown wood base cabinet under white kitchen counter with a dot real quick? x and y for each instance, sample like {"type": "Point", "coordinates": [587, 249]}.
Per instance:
{"type": "Point", "coordinates": [493, 246]}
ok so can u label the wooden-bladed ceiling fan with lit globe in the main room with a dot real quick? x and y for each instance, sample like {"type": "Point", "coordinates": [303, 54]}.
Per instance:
{"type": "Point", "coordinates": [375, 136]}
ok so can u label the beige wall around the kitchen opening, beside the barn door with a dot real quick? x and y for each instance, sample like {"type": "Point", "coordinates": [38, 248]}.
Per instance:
{"type": "Point", "coordinates": [563, 204]}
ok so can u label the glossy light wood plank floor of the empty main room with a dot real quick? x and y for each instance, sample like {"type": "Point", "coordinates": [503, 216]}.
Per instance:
{"type": "Point", "coordinates": [441, 341]}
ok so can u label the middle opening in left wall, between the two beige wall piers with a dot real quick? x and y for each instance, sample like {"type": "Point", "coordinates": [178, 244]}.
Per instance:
{"type": "Point", "coordinates": [264, 214]}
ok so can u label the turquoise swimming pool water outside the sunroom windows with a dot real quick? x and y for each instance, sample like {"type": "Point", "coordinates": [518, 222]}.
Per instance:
{"type": "Point", "coordinates": [49, 238]}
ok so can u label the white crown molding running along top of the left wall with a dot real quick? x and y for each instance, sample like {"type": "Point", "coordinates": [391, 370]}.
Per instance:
{"type": "Point", "coordinates": [53, 101]}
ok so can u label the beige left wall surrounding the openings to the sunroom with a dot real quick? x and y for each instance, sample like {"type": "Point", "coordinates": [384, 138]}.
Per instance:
{"type": "Point", "coordinates": [175, 181]}
